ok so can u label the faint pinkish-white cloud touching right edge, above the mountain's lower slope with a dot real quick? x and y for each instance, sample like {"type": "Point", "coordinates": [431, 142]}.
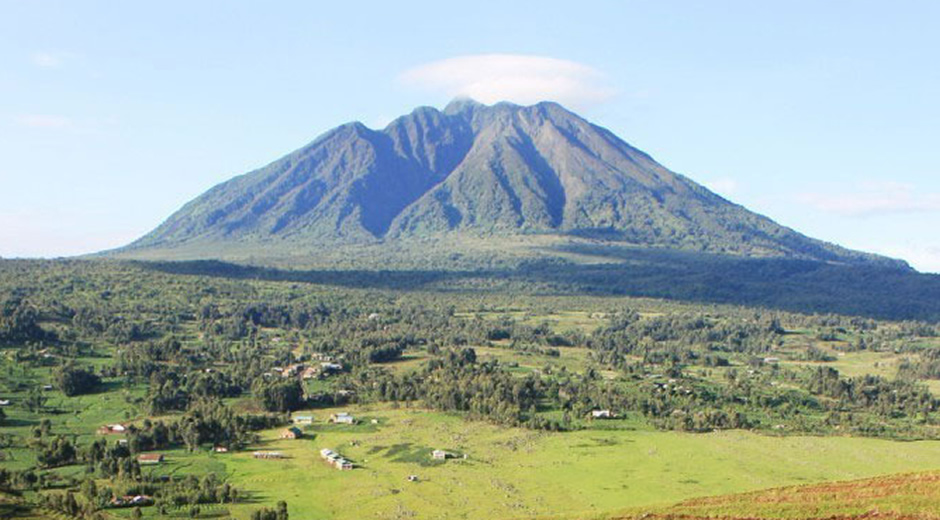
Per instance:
{"type": "Point", "coordinates": [874, 199]}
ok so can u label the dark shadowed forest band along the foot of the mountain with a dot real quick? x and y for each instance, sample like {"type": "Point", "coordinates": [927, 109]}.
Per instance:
{"type": "Point", "coordinates": [609, 270]}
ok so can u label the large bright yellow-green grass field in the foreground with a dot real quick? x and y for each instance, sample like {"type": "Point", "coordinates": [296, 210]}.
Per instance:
{"type": "Point", "coordinates": [513, 473]}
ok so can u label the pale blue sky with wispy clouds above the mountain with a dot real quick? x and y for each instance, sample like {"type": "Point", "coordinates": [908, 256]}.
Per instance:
{"type": "Point", "coordinates": [822, 115]}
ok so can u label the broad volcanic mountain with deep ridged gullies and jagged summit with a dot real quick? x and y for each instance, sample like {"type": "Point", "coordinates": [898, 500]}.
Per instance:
{"type": "Point", "coordinates": [475, 172]}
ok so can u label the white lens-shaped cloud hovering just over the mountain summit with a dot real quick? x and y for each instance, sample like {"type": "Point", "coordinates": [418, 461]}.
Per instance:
{"type": "Point", "coordinates": [490, 78]}
